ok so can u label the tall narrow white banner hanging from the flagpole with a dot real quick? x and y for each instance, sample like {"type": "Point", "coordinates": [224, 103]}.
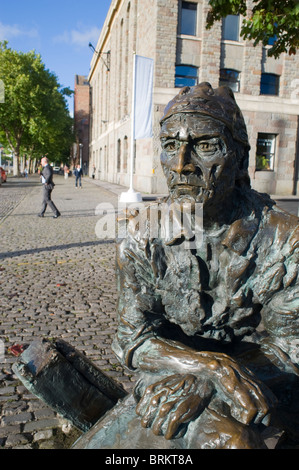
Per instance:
{"type": "Point", "coordinates": [144, 77]}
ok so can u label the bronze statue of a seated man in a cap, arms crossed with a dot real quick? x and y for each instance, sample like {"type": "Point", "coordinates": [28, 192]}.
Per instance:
{"type": "Point", "coordinates": [212, 330]}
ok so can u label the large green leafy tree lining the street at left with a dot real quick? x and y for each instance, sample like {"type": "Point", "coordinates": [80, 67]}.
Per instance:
{"type": "Point", "coordinates": [34, 118]}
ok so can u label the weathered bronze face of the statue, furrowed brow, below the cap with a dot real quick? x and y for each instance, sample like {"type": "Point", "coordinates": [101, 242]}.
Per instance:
{"type": "Point", "coordinates": [196, 158]}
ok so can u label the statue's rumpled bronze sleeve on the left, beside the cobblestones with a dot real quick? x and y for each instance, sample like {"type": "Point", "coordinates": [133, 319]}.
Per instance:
{"type": "Point", "coordinates": [139, 308]}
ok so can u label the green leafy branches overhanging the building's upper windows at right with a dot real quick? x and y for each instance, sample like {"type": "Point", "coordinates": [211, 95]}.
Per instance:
{"type": "Point", "coordinates": [273, 21]}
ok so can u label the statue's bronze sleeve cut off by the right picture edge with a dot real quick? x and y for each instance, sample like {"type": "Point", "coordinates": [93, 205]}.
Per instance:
{"type": "Point", "coordinates": [279, 287]}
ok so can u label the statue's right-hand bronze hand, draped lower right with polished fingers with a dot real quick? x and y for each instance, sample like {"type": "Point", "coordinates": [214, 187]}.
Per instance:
{"type": "Point", "coordinates": [250, 401]}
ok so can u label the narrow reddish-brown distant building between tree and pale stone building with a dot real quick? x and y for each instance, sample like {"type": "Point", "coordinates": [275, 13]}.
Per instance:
{"type": "Point", "coordinates": [81, 122]}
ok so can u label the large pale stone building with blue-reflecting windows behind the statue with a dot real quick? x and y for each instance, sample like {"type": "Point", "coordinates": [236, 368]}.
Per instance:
{"type": "Point", "coordinates": [173, 33]}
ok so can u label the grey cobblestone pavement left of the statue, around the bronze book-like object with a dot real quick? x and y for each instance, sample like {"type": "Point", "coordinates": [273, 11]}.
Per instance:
{"type": "Point", "coordinates": [57, 280]}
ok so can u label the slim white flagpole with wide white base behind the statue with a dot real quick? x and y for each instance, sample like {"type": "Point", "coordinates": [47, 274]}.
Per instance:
{"type": "Point", "coordinates": [131, 195]}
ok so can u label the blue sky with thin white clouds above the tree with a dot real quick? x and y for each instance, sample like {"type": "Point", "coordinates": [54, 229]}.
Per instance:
{"type": "Point", "coordinates": [59, 30]}
